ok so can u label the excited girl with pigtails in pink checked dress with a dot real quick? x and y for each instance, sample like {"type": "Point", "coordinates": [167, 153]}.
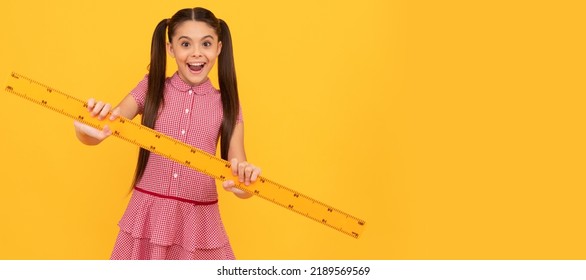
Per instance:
{"type": "Point", "coordinates": [173, 212]}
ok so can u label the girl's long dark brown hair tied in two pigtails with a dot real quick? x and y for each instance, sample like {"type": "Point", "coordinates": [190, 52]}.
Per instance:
{"type": "Point", "coordinates": [158, 67]}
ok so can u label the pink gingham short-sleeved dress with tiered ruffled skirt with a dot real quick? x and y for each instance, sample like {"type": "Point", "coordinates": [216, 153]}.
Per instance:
{"type": "Point", "coordinates": [173, 212]}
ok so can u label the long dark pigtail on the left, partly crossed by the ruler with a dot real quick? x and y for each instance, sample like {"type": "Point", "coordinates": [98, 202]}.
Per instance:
{"type": "Point", "coordinates": [156, 87]}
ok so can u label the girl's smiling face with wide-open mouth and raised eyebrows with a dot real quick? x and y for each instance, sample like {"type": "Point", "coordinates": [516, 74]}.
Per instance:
{"type": "Point", "coordinates": [195, 47]}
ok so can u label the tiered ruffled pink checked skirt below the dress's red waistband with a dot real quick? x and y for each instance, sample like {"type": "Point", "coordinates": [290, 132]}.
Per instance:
{"type": "Point", "coordinates": [161, 228]}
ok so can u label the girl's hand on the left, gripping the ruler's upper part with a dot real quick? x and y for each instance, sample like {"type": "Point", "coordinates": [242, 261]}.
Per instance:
{"type": "Point", "coordinates": [100, 110]}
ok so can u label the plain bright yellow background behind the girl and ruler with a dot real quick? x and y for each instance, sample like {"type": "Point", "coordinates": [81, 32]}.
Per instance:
{"type": "Point", "coordinates": [454, 128]}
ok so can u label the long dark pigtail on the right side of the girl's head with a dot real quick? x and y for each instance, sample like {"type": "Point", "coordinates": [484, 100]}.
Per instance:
{"type": "Point", "coordinates": [228, 88]}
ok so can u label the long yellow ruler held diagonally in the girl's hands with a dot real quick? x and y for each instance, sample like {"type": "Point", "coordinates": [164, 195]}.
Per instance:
{"type": "Point", "coordinates": [180, 152]}
